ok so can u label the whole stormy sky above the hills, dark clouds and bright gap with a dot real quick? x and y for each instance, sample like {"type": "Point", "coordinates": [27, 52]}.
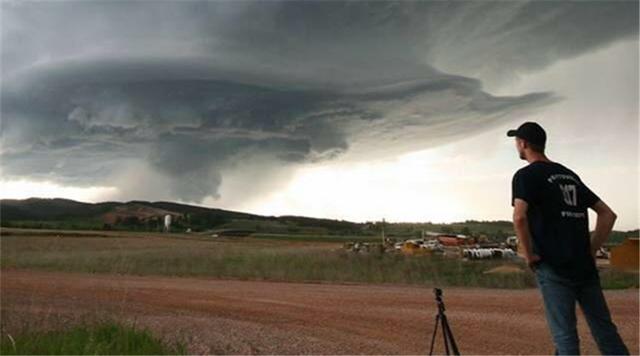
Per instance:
{"type": "Point", "coordinates": [349, 110]}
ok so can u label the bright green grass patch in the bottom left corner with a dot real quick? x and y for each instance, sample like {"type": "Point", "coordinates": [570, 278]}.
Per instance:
{"type": "Point", "coordinates": [106, 338]}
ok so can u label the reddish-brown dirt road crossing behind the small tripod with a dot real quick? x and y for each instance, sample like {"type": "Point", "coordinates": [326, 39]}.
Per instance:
{"type": "Point", "coordinates": [248, 317]}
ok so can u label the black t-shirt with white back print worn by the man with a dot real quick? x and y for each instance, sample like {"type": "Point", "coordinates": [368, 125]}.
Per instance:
{"type": "Point", "coordinates": [558, 219]}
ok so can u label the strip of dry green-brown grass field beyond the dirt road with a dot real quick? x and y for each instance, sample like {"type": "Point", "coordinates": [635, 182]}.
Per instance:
{"type": "Point", "coordinates": [266, 257]}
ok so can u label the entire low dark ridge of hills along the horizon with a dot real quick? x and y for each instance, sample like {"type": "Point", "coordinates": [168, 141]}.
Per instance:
{"type": "Point", "coordinates": [149, 216]}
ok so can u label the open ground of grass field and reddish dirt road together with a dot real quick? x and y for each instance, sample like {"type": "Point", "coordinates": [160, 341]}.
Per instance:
{"type": "Point", "coordinates": [245, 296]}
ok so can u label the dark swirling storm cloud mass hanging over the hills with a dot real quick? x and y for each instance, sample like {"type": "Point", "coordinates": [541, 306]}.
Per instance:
{"type": "Point", "coordinates": [186, 91]}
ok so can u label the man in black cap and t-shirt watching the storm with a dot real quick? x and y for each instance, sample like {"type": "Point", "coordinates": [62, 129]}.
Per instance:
{"type": "Point", "coordinates": [550, 219]}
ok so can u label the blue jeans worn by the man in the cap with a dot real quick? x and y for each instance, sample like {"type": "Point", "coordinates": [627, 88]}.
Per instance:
{"type": "Point", "coordinates": [560, 295]}
